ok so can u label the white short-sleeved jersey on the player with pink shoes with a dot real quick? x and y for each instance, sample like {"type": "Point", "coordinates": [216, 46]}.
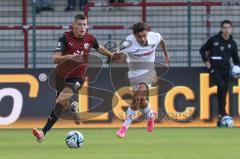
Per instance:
{"type": "Point", "coordinates": [140, 58]}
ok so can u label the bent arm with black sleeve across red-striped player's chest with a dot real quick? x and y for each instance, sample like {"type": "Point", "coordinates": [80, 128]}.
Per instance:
{"type": "Point", "coordinates": [59, 56]}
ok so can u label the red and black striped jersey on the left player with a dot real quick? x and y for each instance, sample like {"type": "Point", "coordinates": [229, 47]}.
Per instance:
{"type": "Point", "coordinates": [68, 44]}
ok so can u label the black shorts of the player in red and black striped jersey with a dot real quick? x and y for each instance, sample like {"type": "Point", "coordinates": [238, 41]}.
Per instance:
{"type": "Point", "coordinates": [75, 83]}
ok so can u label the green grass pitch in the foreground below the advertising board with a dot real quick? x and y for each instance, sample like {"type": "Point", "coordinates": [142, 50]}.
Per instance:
{"type": "Point", "coordinates": [166, 143]}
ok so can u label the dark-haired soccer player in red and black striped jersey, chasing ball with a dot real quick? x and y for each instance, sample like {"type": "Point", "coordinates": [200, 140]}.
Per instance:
{"type": "Point", "coordinates": [71, 56]}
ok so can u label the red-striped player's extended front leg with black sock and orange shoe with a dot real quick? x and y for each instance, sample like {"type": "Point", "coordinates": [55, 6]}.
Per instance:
{"type": "Point", "coordinates": [62, 104]}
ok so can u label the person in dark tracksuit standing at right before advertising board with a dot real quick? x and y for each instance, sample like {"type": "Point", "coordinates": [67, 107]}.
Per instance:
{"type": "Point", "coordinates": [216, 53]}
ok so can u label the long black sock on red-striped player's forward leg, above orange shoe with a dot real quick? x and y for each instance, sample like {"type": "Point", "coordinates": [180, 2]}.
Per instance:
{"type": "Point", "coordinates": [53, 118]}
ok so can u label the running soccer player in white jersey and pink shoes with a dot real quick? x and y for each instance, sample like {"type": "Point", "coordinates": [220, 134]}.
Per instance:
{"type": "Point", "coordinates": [140, 49]}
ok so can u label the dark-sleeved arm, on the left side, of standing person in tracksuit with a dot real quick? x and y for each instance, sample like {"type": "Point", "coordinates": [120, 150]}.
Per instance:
{"type": "Point", "coordinates": [204, 50]}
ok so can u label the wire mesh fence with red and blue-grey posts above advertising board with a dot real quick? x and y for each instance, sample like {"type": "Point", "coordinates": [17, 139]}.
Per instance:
{"type": "Point", "coordinates": [29, 38]}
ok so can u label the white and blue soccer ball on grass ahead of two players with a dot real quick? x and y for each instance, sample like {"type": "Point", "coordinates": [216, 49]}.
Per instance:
{"type": "Point", "coordinates": [74, 139]}
